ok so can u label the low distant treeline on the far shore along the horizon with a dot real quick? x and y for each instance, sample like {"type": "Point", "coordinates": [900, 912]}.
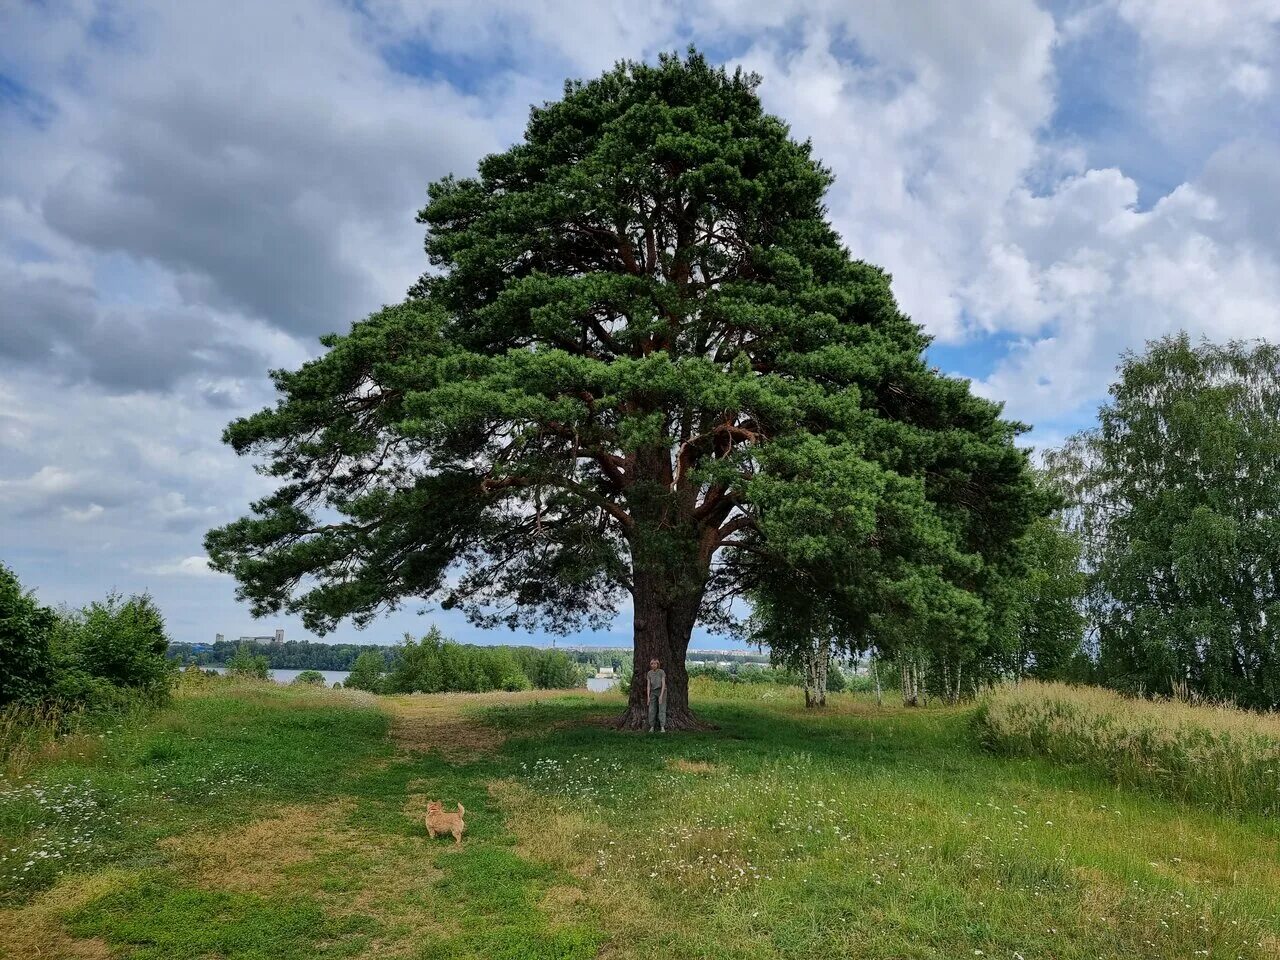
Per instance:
{"type": "Point", "coordinates": [307, 655]}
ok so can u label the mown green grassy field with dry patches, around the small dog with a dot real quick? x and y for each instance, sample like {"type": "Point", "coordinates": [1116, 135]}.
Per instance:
{"type": "Point", "coordinates": [259, 822]}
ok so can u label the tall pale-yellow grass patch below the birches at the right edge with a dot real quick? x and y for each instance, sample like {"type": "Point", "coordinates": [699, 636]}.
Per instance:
{"type": "Point", "coordinates": [1210, 756]}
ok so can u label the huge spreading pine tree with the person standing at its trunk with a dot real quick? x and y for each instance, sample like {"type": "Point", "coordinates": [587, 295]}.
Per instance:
{"type": "Point", "coordinates": [641, 349]}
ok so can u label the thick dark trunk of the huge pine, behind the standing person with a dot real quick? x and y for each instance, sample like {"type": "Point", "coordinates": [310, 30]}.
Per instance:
{"type": "Point", "coordinates": [662, 628]}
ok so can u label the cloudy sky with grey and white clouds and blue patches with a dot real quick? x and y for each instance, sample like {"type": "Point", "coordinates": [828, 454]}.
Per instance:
{"type": "Point", "coordinates": [193, 193]}
